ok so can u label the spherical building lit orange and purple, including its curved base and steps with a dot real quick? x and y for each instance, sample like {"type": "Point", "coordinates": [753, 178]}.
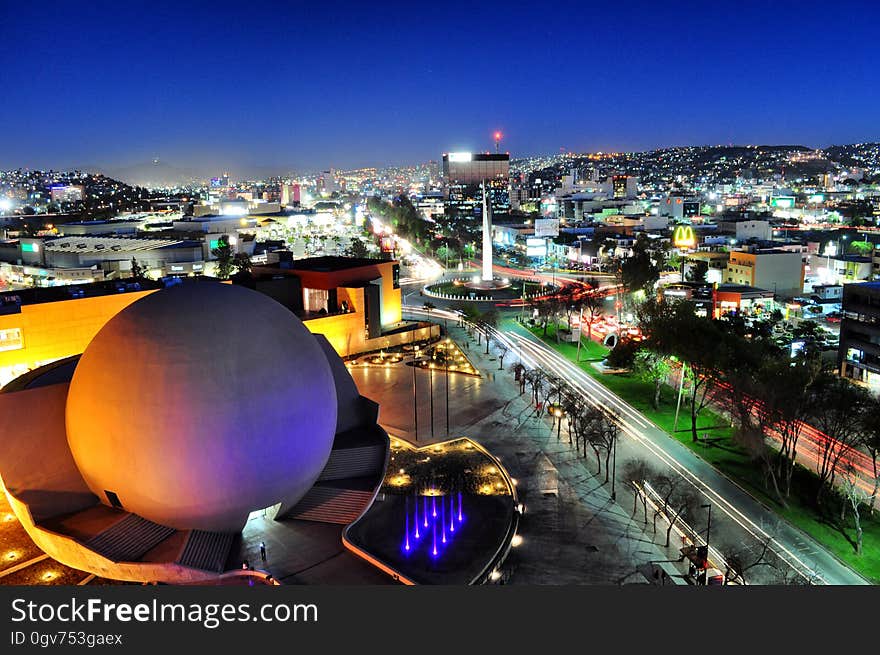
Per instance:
{"type": "Point", "coordinates": [191, 409]}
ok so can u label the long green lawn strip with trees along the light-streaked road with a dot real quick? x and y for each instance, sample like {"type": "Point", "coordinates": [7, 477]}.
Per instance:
{"type": "Point", "coordinates": [728, 457]}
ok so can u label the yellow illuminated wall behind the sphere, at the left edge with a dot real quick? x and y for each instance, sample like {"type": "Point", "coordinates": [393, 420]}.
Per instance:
{"type": "Point", "coordinates": [54, 330]}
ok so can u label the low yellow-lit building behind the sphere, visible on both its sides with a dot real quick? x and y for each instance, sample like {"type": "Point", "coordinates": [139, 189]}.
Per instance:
{"type": "Point", "coordinates": [354, 303]}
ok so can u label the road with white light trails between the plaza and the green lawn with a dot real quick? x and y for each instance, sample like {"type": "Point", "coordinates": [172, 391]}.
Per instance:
{"type": "Point", "coordinates": [738, 510]}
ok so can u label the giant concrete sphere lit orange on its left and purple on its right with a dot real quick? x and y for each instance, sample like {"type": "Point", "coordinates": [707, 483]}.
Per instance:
{"type": "Point", "coordinates": [201, 403]}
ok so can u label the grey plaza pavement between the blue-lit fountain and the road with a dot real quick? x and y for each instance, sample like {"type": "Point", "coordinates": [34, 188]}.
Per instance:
{"type": "Point", "coordinates": [573, 533]}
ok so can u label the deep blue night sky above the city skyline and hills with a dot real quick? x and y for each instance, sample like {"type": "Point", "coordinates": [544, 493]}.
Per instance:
{"type": "Point", "coordinates": [303, 85]}
